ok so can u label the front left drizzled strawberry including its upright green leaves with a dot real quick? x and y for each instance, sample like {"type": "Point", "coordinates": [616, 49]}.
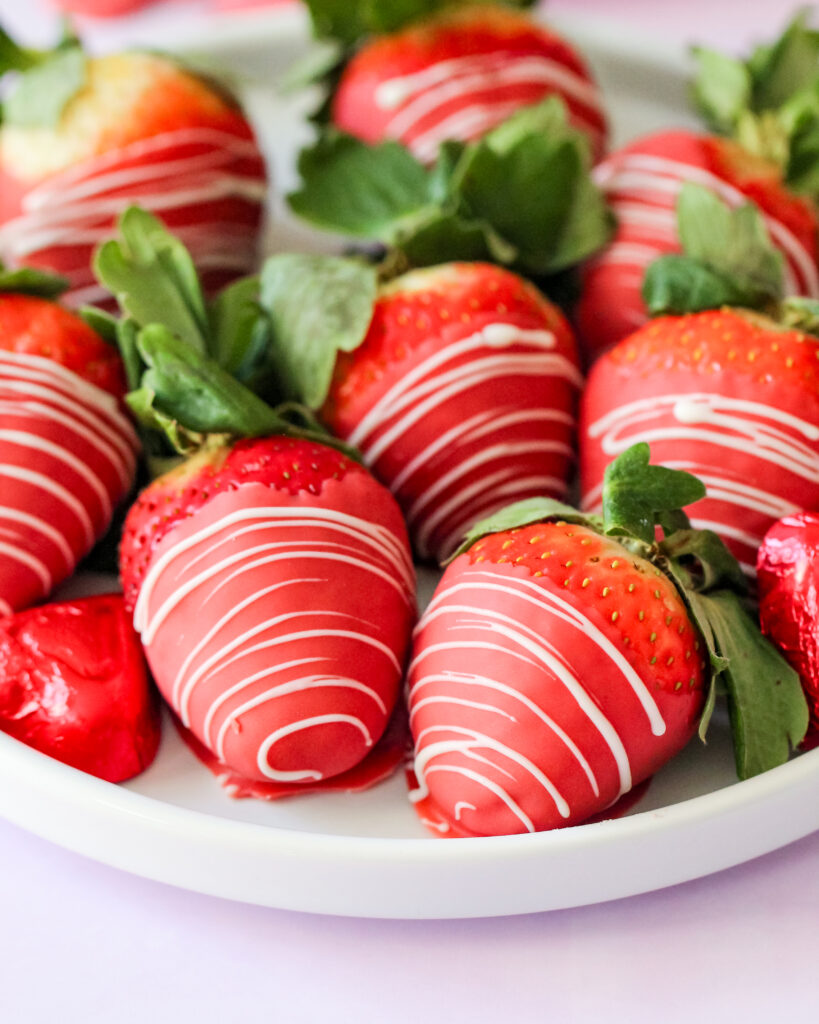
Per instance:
{"type": "Point", "coordinates": [270, 574]}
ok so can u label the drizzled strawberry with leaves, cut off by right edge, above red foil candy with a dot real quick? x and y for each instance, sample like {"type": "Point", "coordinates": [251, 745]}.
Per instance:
{"type": "Point", "coordinates": [729, 395]}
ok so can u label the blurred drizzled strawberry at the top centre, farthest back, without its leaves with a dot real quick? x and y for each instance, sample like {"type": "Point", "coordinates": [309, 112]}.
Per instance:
{"type": "Point", "coordinates": [458, 74]}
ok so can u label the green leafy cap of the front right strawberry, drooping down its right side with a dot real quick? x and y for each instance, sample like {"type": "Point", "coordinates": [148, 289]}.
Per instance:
{"type": "Point", "coordinates": [643, 513]}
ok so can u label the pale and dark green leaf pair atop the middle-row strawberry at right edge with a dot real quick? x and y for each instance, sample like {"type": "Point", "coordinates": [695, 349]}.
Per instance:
{"type": "Point", "coordinates": [728, 260]}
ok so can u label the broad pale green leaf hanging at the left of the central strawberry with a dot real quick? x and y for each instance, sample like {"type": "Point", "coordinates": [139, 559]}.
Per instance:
{"type": "Point", "coordinates": [318, 308]}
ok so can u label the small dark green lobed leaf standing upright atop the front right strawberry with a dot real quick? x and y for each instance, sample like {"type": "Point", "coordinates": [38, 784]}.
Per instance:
{"type": "Point", "coordinates": [635, 493]}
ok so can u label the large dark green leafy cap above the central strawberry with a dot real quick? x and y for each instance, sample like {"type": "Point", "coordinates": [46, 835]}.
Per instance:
{"type": "Point", "coordinates": [522, 196]}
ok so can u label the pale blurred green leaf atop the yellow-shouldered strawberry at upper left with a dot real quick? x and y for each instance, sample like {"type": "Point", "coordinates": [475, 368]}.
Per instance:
{"type": "Point", "coordinates": [42, 93]}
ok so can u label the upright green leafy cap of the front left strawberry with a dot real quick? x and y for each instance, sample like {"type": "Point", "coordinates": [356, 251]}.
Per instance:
{"type": "Point", "coordinates": [198, 371]}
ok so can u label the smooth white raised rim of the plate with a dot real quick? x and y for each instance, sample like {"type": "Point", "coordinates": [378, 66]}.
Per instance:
{"type": "Point", "coordinates": [64, 791]}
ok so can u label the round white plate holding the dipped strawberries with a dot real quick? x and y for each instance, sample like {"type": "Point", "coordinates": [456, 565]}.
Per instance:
{"type": "Point", "coordinates": [367, 855]}
